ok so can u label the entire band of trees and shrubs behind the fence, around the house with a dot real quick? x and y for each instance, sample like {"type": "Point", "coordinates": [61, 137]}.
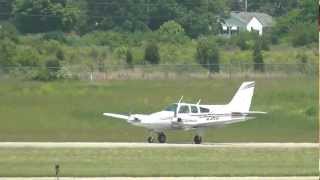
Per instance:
{"type": "Point", "coordinates": [121, 29]}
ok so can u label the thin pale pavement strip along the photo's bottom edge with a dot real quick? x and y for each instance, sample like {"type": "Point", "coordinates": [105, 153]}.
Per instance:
{"type": "Point", "coordinates": [170, 178]}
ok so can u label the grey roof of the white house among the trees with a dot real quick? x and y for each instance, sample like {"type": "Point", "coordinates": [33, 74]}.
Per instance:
{"type": "Point", "coordinates": [241, 19]}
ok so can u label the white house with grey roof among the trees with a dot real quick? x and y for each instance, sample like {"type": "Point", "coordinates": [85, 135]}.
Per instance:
{"type": "Point", "coordinates": [246, 21]}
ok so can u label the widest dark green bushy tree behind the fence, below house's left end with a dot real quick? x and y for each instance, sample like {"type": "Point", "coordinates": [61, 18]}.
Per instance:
{"type": "Point", "coordinates": [208, 54]}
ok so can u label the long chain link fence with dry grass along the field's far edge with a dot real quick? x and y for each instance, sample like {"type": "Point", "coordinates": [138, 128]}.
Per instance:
{"type": "Point", "coordinates": [154, 72]}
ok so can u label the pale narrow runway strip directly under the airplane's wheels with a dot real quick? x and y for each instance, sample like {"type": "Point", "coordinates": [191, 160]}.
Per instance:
{"type": "Point", "coordinates": [152, 145]}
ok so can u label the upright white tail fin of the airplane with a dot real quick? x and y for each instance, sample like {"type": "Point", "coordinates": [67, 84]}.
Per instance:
{"type": "Point", "coordinates": [241, 101]}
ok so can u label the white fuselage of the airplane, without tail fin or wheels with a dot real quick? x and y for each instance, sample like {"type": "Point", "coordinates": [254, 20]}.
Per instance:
{"type": "Point", "coordinates": [215, 116]}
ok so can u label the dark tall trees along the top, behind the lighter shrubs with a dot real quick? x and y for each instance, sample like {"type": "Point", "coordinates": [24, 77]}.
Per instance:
{"type": "Point", "coordinates": [197, 17]}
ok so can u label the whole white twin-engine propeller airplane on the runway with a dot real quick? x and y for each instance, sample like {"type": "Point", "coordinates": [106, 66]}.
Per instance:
{"type": "Point", "coordinates": [185, 116]}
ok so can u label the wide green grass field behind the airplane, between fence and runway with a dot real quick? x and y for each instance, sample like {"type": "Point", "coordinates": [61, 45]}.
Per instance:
{"type": "Point", "coordinates": [72, 110]}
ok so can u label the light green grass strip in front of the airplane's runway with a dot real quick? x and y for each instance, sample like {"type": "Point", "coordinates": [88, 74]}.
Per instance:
{"type": "Point", "coordinates": [160, 162]}
